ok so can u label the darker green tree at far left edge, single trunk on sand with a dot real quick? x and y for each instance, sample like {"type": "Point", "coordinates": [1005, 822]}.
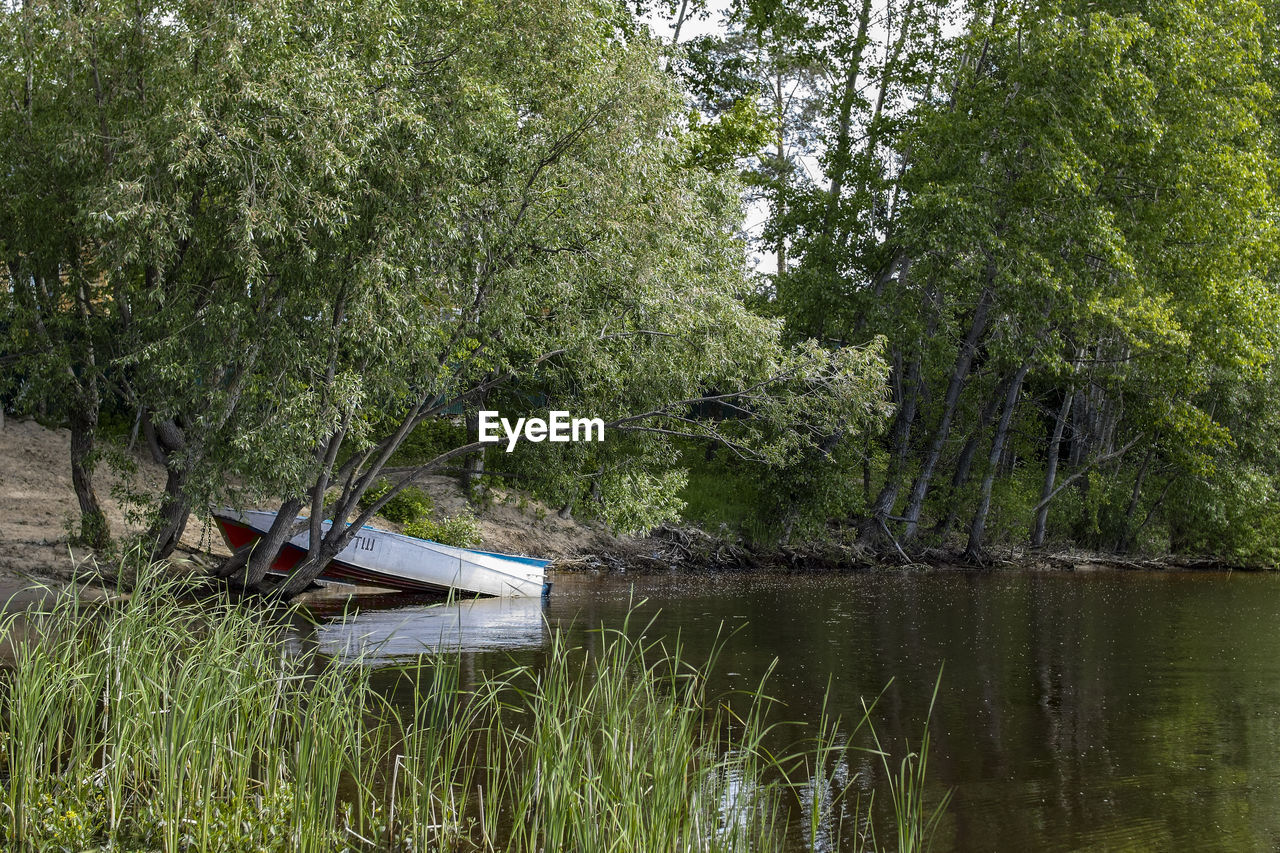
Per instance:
{"type": "Point", "coordinates": [51, 158]}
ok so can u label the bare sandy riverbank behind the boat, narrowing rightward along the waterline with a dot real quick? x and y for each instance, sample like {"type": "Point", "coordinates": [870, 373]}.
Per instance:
{"type": "Point", "coordinates": [39, 510]}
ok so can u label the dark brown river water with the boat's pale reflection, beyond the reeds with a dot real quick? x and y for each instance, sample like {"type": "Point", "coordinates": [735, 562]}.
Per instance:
{"type": "Point", "coordinates": [1087, 711]}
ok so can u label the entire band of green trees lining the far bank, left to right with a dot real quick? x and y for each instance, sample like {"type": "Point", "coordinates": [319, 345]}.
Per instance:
{"type": "Point", "coordinates": [365, 217]}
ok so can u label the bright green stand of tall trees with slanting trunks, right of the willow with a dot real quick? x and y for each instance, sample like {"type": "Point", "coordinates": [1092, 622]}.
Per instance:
{"type": "Point", "coordinates": [1081, 197]}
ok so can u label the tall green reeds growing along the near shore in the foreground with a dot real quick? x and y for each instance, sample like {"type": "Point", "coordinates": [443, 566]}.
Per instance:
{"type": "Point", "coordinates": [161, 726]}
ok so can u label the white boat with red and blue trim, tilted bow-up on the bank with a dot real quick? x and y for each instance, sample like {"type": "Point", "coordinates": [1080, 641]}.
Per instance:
{"type": "Point", "coordinates": [392, 560]}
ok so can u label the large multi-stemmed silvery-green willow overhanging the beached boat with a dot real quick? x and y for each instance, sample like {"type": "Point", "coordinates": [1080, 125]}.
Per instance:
{"type": "Point", "coordinates": [322, 225]}
